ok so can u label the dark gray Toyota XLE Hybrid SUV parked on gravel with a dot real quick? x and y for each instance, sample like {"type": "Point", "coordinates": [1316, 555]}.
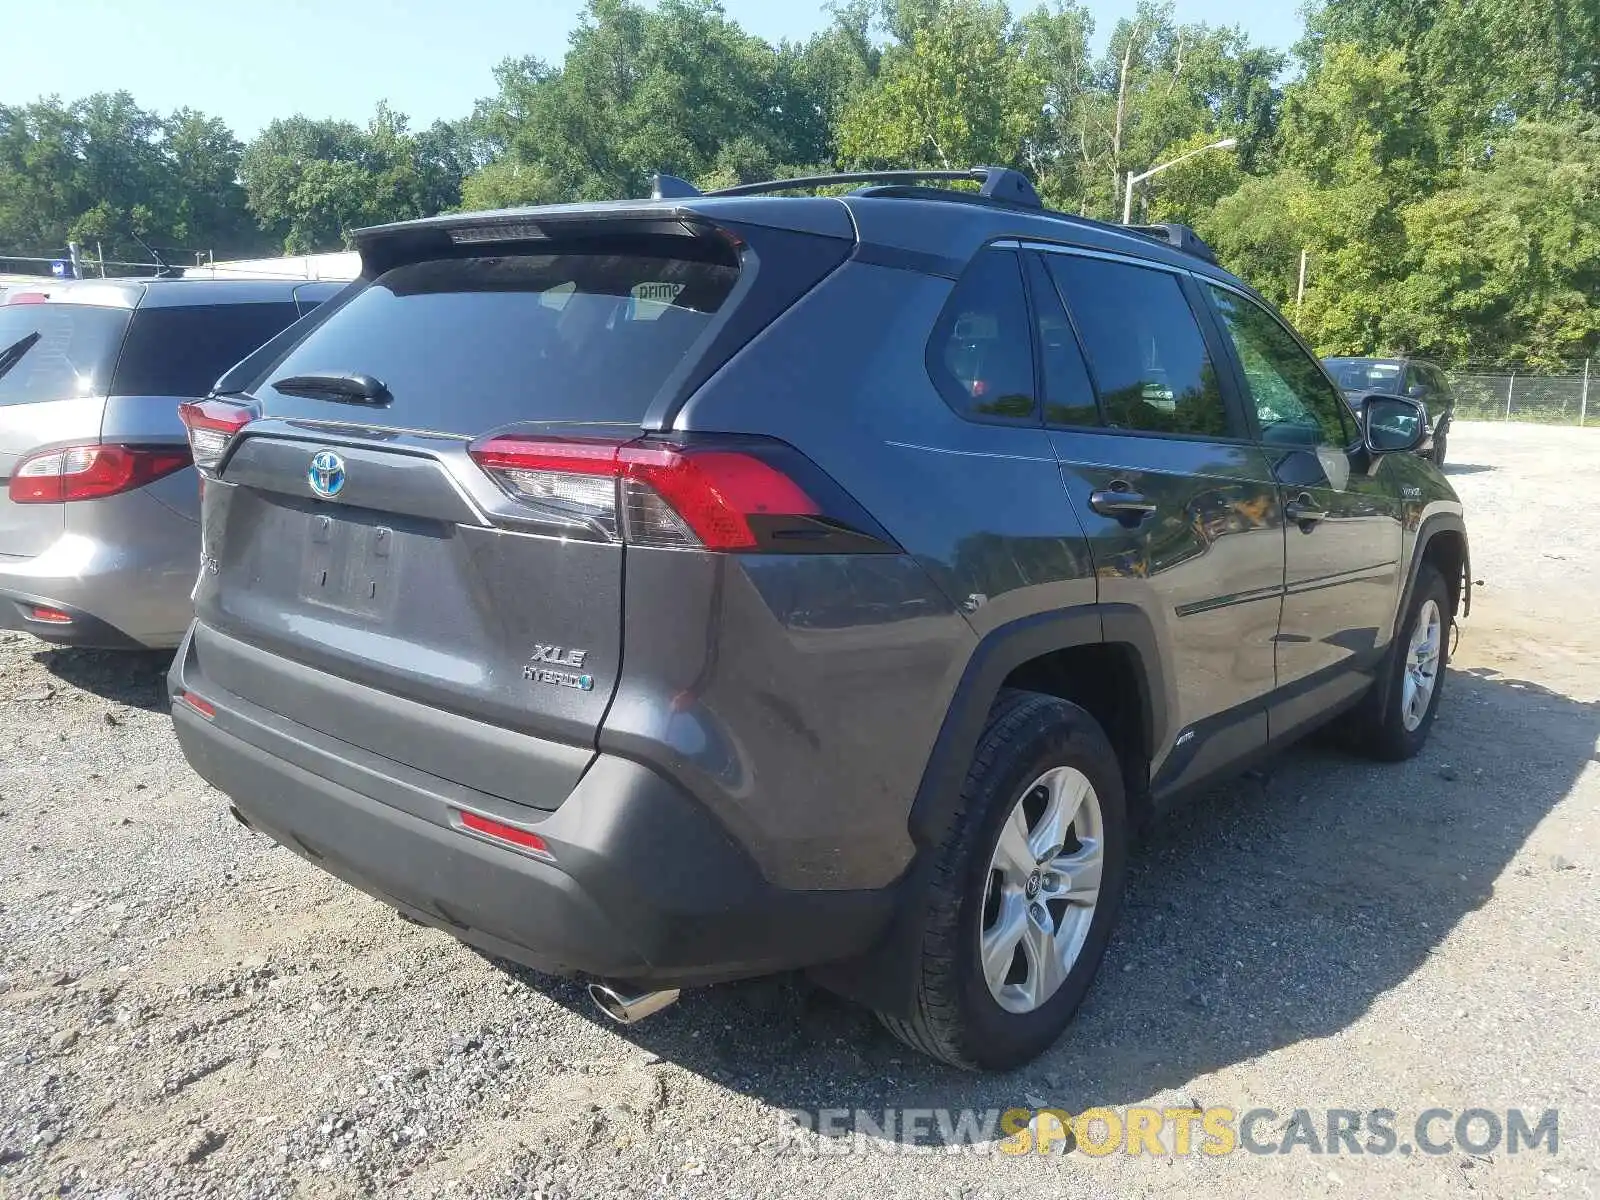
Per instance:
{"type": "Point", "coordinates": [679, 591]}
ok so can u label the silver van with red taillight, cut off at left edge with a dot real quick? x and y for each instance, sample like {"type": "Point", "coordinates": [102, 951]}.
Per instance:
{"type": "Point", "coordinates": [100, 530]}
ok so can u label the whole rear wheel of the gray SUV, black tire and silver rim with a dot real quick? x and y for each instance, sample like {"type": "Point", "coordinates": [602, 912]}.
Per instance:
{"type": "Point", "coordinates": [1023, 890]}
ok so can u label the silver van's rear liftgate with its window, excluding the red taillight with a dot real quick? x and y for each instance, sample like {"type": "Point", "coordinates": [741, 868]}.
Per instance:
{"type": "Point", "coordinates": [55, 367]}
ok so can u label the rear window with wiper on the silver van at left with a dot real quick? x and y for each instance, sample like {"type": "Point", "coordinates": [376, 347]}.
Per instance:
{"type": "Point", "coordinates": [57, 351]}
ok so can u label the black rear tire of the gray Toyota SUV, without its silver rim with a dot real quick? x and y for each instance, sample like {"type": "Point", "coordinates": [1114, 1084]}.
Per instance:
{"type": "Point", "coordinates": [956, 1017]}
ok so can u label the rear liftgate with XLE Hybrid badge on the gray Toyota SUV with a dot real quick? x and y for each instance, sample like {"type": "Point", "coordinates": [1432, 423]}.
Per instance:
{"type": "Point", "coordinates": [358, 538]}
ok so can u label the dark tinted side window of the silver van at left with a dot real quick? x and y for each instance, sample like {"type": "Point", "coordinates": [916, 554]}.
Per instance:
{"type": "Point", "coordinates": [185, 351]}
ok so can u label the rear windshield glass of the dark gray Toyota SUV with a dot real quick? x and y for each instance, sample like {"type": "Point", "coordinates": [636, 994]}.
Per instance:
{"type": "Point", "coordinates": [473, 343]}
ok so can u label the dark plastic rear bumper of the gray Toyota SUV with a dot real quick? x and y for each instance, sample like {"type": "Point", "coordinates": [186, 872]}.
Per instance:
{"type": "Point", "coordinates": [644, 886]}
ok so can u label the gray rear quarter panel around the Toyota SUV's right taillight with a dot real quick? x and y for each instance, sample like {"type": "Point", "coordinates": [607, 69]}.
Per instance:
{"type": "Point", "coordinates": [822, 708]}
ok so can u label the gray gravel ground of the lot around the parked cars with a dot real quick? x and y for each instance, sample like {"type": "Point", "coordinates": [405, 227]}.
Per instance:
{"type": "Point", "coordinates": [186, 1010]}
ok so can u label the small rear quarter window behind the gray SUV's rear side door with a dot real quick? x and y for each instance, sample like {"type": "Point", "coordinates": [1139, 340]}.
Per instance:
{"type": "Point", "coordinates": [982, 358]}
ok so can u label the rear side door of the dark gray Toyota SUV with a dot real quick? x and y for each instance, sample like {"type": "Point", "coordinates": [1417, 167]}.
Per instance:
{"type": "Point", "coordinates": [1178, 505]}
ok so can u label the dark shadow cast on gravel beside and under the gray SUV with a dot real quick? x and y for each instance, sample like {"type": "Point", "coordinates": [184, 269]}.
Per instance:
{"type": "Point", "coordinates": [1271, 913]}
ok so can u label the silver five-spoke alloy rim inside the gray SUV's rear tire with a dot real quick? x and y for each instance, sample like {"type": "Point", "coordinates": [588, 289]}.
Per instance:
{"type": "Point", "coordinates": [1044, 884]}
